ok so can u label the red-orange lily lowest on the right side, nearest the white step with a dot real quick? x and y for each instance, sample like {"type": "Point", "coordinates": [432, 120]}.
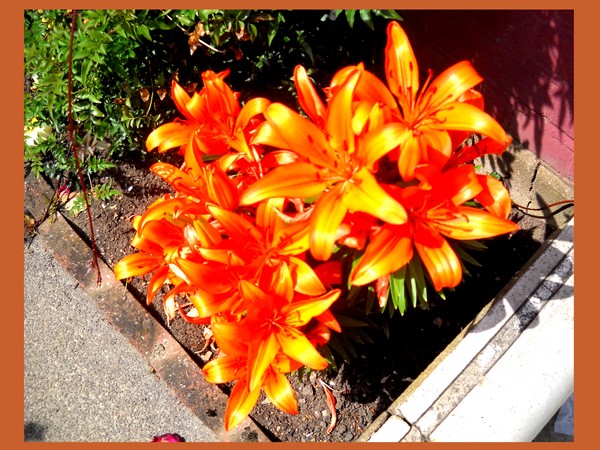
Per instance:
{"type": "Point", "coordinates": [435, 208]}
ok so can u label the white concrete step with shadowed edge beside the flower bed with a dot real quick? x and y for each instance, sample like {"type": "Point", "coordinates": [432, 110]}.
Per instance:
{"type": "Point", "coordinates": [505, 379]}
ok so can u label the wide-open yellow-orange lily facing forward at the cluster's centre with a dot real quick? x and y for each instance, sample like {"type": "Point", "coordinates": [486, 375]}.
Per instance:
{"type": "Point", "coordinates": [337, 166]}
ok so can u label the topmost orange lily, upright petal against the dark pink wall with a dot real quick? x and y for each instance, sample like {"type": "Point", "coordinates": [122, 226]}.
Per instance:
{"type": "Point", "coordinates": [428, 113]}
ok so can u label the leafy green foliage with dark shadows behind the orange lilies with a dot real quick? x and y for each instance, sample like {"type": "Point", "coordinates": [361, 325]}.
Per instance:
{"type": "Point", "coordinates": [124, 62]}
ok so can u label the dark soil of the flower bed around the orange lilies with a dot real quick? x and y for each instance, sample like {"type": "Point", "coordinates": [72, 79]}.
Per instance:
{"type": "Point", "coordinates": [380, 372]}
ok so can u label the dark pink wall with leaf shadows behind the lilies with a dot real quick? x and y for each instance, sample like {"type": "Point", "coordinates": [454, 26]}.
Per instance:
{"type": "Point", "coordinates": [526, 60]}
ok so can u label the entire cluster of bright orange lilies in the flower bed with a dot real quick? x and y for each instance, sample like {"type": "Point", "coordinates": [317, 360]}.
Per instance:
{"type": "Point", "coordinates": [266, 195]}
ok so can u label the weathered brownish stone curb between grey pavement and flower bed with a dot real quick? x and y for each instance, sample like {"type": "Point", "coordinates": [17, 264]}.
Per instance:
{"type": "Point", "coordinates": [158, 347]}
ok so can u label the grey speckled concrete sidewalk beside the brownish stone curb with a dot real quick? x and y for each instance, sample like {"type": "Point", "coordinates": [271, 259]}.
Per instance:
{"type": "Point", "coordinates": [83, 379]}
